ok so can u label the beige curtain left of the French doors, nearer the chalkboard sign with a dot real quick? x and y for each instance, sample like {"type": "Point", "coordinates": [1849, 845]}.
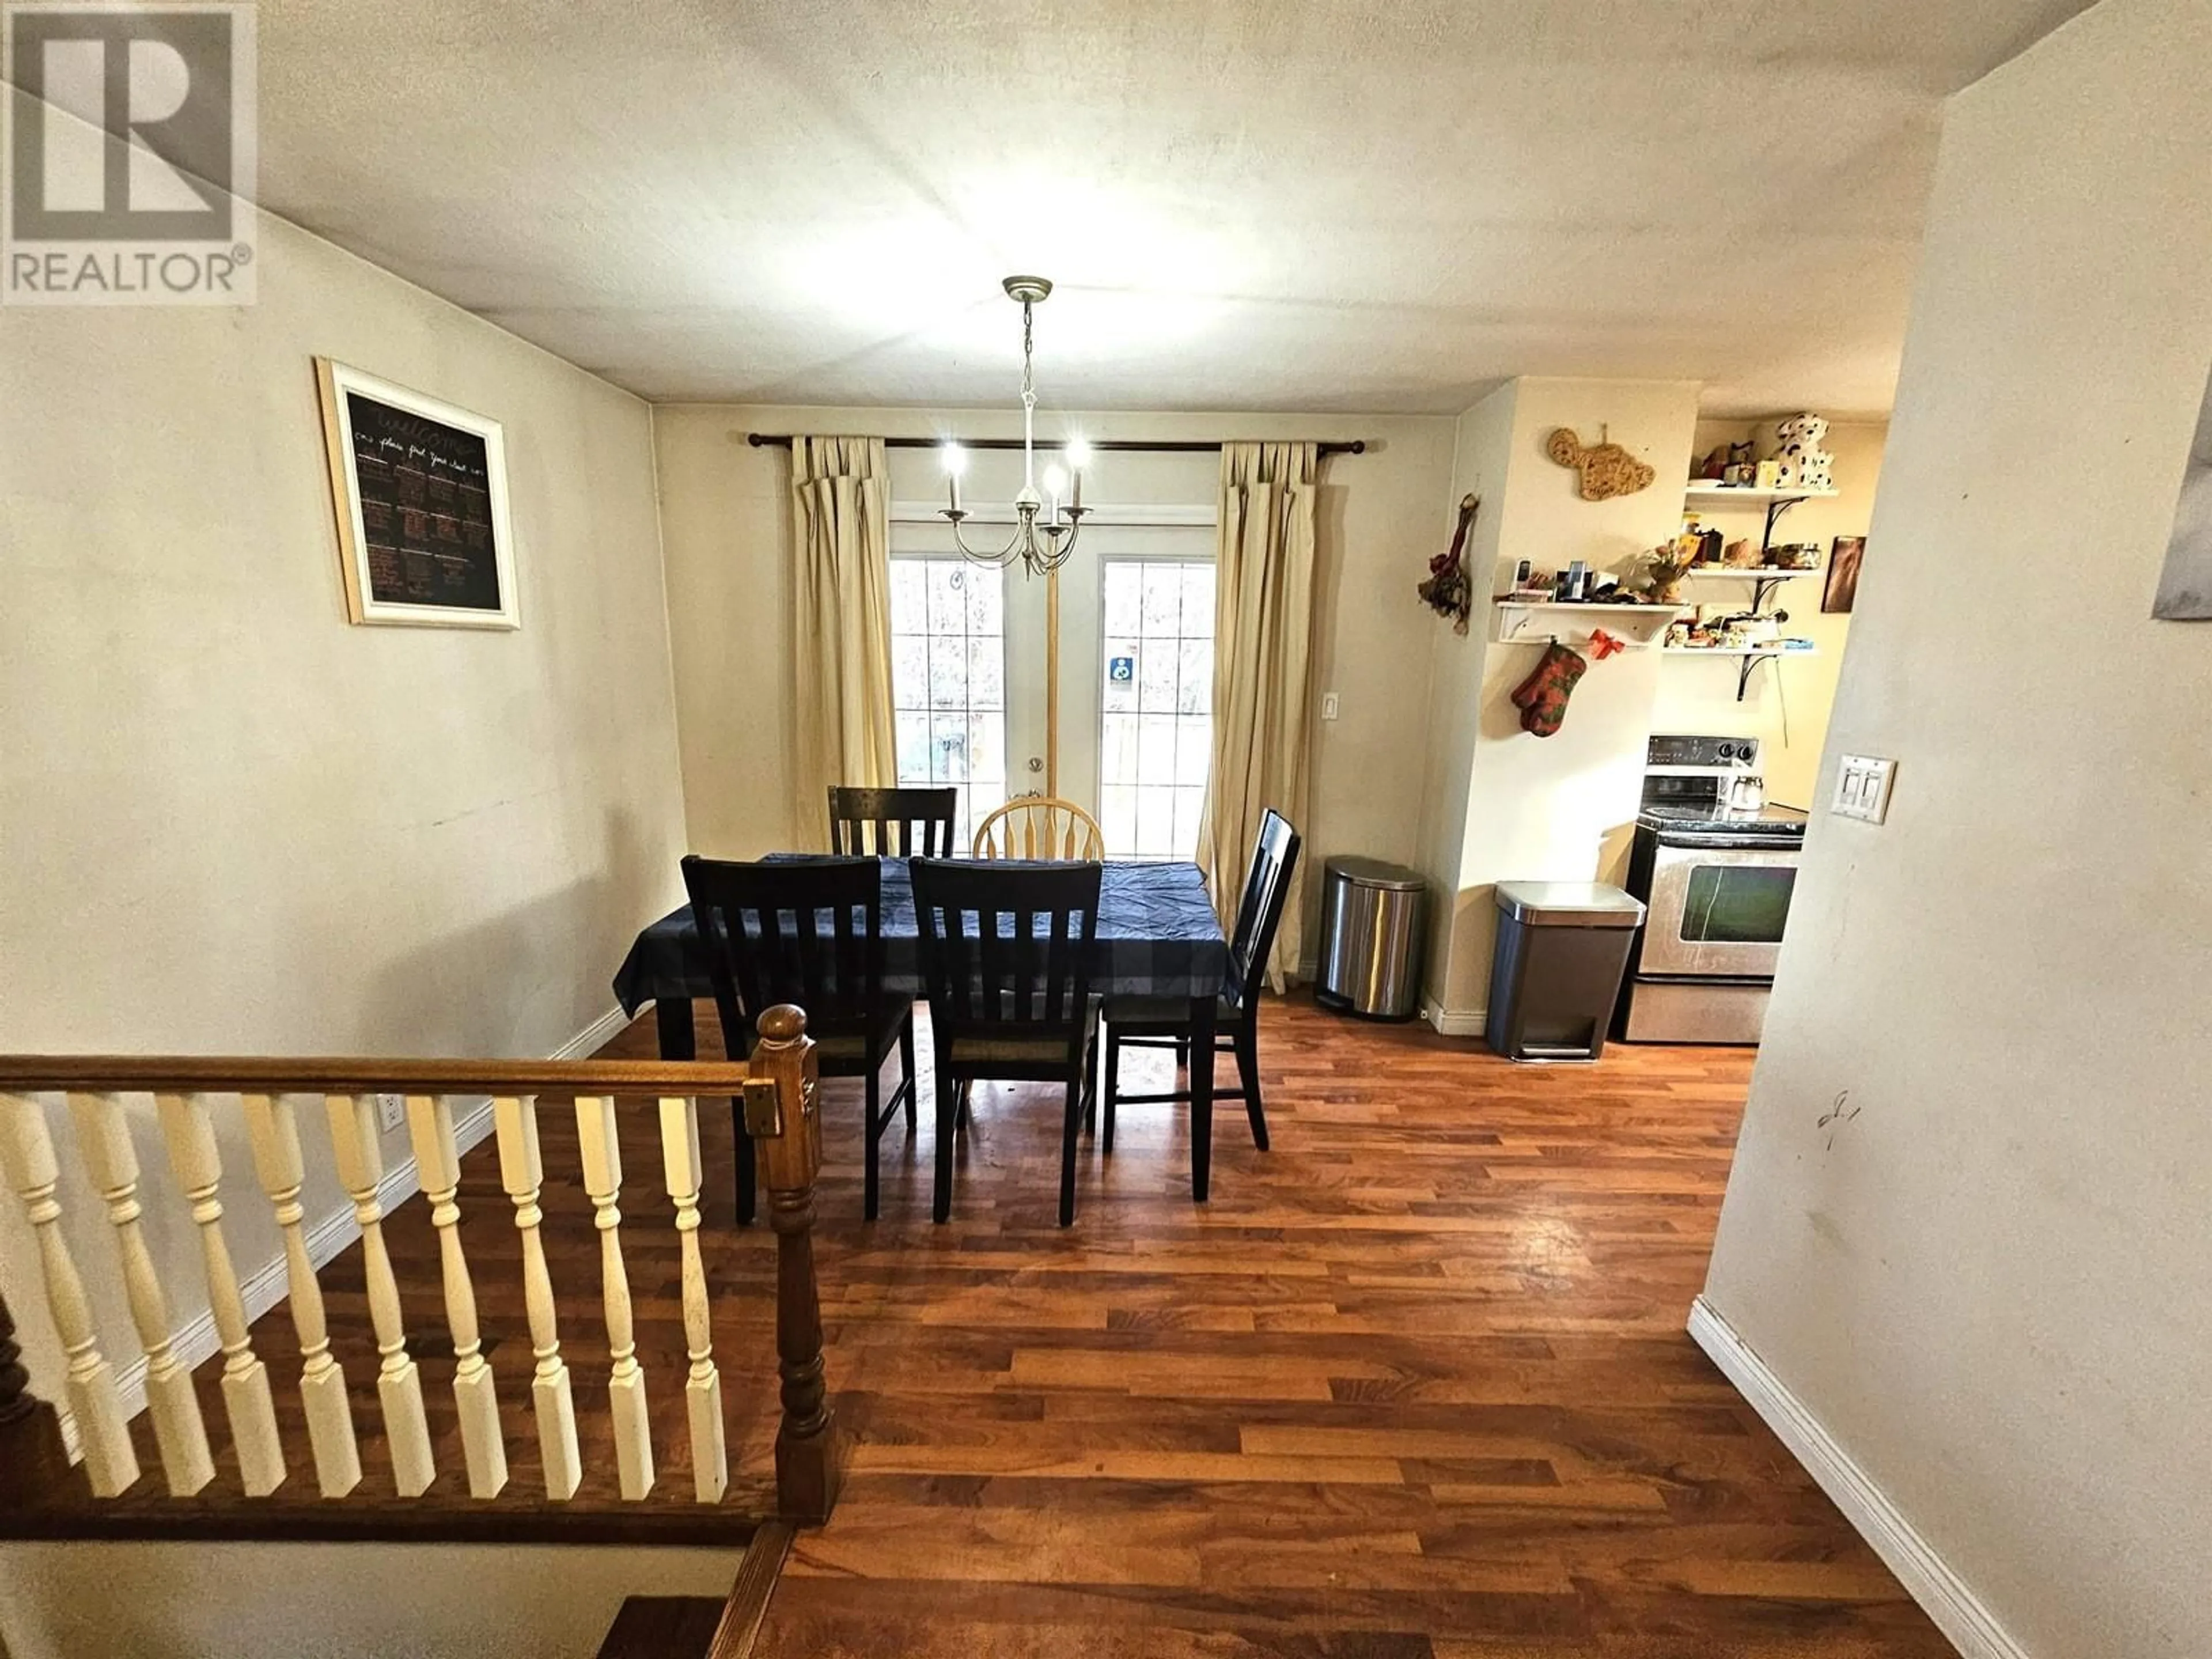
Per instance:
{"type": "Point", "coordinates": [842, 623]}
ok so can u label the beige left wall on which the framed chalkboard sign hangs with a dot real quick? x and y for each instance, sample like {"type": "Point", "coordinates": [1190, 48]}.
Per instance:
{"type": "Point", "coordinates": [236, 824]}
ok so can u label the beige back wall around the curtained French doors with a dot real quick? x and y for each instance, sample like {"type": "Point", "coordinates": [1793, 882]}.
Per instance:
{"type": "Point", "coordinates": [727, 525]}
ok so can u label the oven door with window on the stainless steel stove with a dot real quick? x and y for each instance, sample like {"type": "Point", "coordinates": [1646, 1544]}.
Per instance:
{"type": "Point", "coordinates": [1718, 908]}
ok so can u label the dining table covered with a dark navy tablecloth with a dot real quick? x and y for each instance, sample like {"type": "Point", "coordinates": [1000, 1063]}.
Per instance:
{"type": "Point", "coordinates": [1158, 937]}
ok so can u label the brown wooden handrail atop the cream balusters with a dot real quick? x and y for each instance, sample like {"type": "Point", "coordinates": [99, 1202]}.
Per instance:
{"type": "Point", "coordinates": [371, 1076]}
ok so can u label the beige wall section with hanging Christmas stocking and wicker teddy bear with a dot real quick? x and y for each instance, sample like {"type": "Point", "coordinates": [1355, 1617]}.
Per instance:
{"type": "Point", "coordinates": [1554, 808]}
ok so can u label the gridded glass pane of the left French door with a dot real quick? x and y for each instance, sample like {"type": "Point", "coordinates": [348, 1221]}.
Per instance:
{"type": "Point", "coordinates": [950, 682]}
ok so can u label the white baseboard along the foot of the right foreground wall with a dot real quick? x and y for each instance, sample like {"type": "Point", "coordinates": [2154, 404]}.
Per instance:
{"type": "Point", "coordinates": [1941, 1594]}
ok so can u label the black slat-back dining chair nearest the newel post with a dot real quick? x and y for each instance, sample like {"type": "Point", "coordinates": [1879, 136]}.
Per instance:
{"type": "Point", "coordinates": [806, 932]}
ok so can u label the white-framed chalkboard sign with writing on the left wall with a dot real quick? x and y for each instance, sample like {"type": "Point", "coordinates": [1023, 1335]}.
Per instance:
{"type": "Point", "coordinates": [421, 494]}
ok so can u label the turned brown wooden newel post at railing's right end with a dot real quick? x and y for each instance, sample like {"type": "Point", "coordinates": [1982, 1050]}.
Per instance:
{"type": "Point", "coordinates": [784, 1120]}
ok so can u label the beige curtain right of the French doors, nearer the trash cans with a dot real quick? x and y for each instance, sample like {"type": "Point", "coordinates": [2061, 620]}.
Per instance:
{"type": "Point", "coordinates": [1264, 651]}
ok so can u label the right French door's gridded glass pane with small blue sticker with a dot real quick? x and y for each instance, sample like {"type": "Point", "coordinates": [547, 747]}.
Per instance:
{"type": "Point", "coordinates": [1156, 705]}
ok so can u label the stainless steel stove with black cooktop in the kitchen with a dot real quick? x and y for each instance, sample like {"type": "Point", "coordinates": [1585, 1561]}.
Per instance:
{"type": "Point", "coordinates": [1715, 866]}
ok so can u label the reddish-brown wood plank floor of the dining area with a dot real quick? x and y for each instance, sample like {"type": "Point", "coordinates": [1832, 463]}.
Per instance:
{"type": "Point", "coordinates": [1412, 1386]}
